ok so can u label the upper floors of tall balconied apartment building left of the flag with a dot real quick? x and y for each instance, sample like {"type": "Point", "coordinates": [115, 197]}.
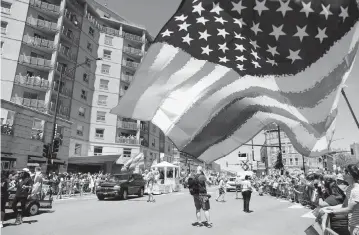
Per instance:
{"type": "Point", "coordinates": [40, 40]}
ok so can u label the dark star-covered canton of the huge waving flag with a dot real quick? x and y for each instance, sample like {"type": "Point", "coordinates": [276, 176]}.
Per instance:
{"type": "Point", "coordinates": [237, 41]}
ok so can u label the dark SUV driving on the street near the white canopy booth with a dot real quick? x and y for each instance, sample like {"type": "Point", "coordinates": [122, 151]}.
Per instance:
{"type": "Point", "coordinates": [121, 185]}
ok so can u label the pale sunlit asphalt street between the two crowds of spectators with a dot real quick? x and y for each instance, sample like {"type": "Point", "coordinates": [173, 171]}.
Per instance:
{"type": "Point", "coordinates": [172, 214]}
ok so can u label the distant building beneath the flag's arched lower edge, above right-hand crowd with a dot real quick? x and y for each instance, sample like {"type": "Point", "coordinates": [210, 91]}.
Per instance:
{"type": "Point", "coordinates": [291, 158]}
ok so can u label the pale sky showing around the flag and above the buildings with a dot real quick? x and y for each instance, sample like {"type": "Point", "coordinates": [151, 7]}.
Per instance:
{"type": "Point", "coordinates": [153, 14]}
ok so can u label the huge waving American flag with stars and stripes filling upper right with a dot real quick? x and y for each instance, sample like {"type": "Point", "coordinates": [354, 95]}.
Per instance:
{"type": "Point", "coordinates": [220, 71]}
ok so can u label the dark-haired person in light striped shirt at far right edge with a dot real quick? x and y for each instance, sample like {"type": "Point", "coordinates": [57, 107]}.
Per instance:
{"type": "Point", "coordinates": [352, 177]}
